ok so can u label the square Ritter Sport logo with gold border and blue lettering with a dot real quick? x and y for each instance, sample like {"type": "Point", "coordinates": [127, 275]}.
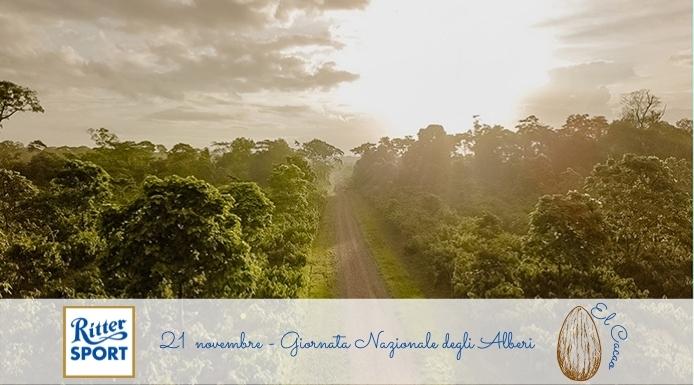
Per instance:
{"type": "Point", "coordinates": [98, 341]}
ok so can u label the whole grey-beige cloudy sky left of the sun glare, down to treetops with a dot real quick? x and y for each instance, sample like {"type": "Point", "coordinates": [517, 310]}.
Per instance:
{"type": "Point", "coordinates": [179, 70]}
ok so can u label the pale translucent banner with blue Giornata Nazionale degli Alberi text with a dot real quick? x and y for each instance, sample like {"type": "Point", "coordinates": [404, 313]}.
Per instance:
{"type": "Point", "coordinates": [364, 341]}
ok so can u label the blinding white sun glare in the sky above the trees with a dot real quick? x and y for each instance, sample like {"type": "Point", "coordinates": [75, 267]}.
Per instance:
{"type": "Point", "coordinates": [420, 64]}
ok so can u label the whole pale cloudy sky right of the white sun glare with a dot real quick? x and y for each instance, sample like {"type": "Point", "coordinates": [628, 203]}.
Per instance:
{"type": "Point", "coordinates": [616, 47]}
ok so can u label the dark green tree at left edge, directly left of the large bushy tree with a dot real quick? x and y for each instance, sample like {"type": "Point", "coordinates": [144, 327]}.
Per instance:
{"type": "Point", "coordinates": [54, 249]}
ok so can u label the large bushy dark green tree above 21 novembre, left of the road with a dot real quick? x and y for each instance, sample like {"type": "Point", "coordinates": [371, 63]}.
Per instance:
{"type": "Point", "coordinates": [179, 238]}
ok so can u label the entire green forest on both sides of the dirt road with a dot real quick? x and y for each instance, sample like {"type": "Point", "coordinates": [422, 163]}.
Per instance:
{"type": "Point", "coordinates": [590, 209]}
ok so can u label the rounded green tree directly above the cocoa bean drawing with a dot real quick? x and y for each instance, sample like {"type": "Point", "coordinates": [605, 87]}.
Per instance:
{"type": "Point", "coordinates": [567, 251]}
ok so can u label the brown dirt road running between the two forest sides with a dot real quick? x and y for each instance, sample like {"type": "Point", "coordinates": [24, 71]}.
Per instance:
{"type": "Point", "coordinates": [357, 272]}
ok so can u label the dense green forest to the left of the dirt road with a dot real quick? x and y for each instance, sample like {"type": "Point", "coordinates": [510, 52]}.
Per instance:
{"type": "Point", "coordinates": [127, 219]}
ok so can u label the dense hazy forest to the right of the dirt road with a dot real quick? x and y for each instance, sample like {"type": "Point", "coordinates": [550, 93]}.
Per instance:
{"type": "Point", "coordinates": [592, 209]}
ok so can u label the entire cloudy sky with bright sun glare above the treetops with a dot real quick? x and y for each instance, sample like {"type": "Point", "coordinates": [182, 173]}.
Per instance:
{"type": "Point", "coordinates": [344, 71]}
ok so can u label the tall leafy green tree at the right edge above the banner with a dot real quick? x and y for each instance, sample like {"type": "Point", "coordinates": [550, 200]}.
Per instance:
{"type": "Point", "coordinates": [647, 203]}
